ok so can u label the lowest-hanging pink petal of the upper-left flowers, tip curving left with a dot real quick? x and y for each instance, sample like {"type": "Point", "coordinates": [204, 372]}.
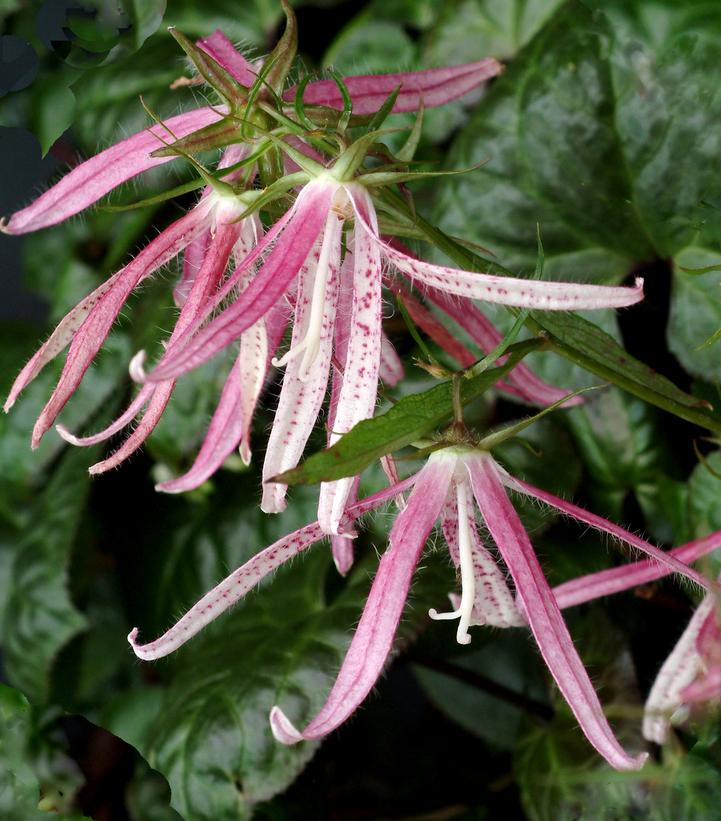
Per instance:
{"type": "Point", "coordinates": [221, 440]}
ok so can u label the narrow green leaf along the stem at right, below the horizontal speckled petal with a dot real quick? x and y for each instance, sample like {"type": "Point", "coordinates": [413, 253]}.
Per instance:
{"type": "Point", "coordinates": [587, 345]}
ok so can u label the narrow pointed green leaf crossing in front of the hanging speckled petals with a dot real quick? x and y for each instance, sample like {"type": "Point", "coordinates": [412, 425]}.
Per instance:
{"type": "Point", "coordinates": [407, 421]}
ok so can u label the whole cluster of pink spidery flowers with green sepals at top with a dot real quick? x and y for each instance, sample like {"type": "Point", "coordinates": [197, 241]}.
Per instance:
{"type": "Point", "coordinates": [295, 227]}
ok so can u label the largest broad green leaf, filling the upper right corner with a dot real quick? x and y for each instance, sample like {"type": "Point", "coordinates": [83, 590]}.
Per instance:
{"type": "Point", "coordinates": [584, 134]}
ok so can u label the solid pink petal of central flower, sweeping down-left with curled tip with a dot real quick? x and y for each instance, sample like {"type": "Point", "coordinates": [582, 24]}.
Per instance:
{"type": "Point", "coordinates": [266, 288]}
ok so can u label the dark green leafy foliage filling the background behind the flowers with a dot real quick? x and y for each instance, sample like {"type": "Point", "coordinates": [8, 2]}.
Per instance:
{"type": "Point", "coordinates": [605, 131]}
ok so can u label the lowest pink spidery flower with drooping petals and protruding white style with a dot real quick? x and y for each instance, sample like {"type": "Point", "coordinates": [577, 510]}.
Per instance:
{"type": "Point", "coordinates": [444, 489]}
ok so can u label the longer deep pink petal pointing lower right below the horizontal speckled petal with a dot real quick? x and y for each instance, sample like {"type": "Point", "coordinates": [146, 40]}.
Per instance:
{"type": "Point", "coordinates": [487, 337]}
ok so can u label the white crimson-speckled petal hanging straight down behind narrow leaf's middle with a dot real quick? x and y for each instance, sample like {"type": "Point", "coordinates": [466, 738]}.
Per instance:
{"type": "Point", "coordinates": [359, 385]}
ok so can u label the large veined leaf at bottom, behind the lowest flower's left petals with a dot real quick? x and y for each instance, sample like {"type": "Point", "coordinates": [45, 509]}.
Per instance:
{"type": "Point", "coordinates": [211, 738]}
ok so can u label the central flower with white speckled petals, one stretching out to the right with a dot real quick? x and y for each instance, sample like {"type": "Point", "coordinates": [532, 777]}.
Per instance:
{"type": "Point", "coordinates": [305, 253]}
